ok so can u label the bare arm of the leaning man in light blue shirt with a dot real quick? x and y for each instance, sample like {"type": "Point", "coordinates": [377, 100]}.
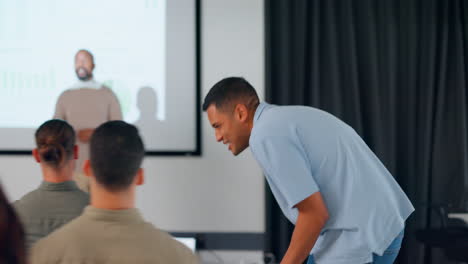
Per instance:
{"type": "Point", "coordinates": [313, 215]}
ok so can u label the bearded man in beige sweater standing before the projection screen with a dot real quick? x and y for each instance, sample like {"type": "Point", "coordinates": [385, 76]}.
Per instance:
{"type": "Point", "coordinates": [86, 105]}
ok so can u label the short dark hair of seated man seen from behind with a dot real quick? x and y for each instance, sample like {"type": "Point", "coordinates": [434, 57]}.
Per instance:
{"type": "Point", "coordinates": [116, 154]}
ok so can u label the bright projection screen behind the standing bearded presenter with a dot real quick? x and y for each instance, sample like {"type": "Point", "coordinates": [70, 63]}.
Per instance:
{"type": "Point", "coordinates": [144, 50]}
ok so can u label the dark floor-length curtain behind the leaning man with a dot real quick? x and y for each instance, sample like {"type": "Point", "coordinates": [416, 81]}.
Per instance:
{"type": "Point", "coordinates": [396, 72]}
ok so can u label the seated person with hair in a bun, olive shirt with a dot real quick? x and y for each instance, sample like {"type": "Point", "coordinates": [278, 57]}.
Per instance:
{"type": "Point", "coordinates": [58, 199]}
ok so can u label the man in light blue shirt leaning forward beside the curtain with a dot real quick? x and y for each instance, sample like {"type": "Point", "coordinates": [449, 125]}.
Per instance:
{"type": "Point", "coordinates": [346, 206]}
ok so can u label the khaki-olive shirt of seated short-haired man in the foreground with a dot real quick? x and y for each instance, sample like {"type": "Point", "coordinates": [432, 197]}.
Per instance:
{"type": "Point", "coordinates": [110, 236]}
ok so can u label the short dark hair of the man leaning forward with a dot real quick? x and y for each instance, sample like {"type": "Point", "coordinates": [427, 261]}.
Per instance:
{"type": "Point", "coordinates": [229, 91]}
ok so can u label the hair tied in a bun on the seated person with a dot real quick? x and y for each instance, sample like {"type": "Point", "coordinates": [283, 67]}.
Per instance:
{"type": "Point", "coordinates": [55, 142]}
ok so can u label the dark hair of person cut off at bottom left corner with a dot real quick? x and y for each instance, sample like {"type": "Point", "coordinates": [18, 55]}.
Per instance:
{"type": "Point", "coordinates": [12, 241]}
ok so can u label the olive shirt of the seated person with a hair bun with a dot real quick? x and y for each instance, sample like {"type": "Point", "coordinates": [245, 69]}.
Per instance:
{"type": "Point", "coordinates": [49, 207]}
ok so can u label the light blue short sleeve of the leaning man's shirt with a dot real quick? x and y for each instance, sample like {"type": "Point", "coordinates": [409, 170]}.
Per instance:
{"type": "Point", "coordinates": [286, 164]}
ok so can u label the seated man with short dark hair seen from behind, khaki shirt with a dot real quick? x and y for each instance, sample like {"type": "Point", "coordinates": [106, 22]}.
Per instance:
{"type": "Point", "coordinates": [111, 230]}
